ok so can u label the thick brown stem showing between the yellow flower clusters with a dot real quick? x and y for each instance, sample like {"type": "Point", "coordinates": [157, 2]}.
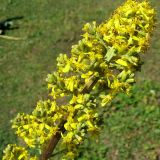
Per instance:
{"type": "Point", "coordinates": [48, 150]}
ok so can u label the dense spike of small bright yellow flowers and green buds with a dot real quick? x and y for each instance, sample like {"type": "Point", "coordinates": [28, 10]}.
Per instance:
{"type": "Point", "coordinates": [100, 66]}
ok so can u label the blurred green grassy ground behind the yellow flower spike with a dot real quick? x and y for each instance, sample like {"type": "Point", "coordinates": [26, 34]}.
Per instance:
{"type": "Point", "coordinates": [50, 27]}
